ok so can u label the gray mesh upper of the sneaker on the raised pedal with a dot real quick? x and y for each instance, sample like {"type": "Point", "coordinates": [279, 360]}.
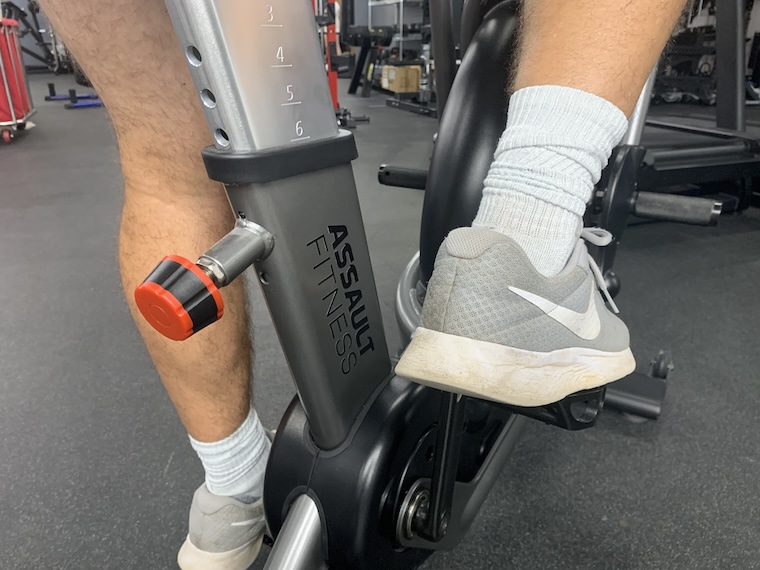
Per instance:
{"type": "Point", "coordinates": [469, 295]}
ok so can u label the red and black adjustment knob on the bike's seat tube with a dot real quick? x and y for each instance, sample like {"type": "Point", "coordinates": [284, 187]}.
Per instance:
{"type": "Point", "coordinates": [178, 299]}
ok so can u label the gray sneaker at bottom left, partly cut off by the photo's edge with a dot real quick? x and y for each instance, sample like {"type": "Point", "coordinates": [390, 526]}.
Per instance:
{"type": "Point", "coordinates": [225, 534]}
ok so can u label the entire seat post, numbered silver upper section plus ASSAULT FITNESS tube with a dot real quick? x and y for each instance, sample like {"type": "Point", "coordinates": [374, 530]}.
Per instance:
{"type": "Point", "coordinates": [258, 70]}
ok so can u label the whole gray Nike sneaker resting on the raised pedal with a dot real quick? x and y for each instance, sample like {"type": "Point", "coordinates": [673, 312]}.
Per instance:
{"type": "Point", "coordinates": [493, 327]}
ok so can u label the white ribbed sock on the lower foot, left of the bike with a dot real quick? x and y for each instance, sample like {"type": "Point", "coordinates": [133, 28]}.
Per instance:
{"type": "Point", "coordinates": [235, 466]}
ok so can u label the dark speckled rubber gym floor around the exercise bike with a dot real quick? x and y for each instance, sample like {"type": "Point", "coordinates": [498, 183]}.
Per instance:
{"type": "Point", "coordinates": [96, 471]}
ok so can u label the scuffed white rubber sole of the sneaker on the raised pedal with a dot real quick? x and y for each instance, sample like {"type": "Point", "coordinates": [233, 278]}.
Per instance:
{"type": "Point", "coordinates": [505, 374]}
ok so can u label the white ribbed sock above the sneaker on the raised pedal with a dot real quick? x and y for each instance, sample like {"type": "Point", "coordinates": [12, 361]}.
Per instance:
{"type": "Point", "coordinates": [551, 155]}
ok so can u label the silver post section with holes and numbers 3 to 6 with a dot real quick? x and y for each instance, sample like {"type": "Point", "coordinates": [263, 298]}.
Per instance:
{"type": "Point", "coordinates": [259, 71]}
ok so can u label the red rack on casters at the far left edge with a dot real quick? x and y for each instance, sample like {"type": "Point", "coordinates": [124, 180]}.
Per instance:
{"type": "Point", "coordinates": [15, 104]}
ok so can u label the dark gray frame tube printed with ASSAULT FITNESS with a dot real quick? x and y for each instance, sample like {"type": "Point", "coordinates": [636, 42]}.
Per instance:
{"type": "Point", "coordinates": [320, 290]}
